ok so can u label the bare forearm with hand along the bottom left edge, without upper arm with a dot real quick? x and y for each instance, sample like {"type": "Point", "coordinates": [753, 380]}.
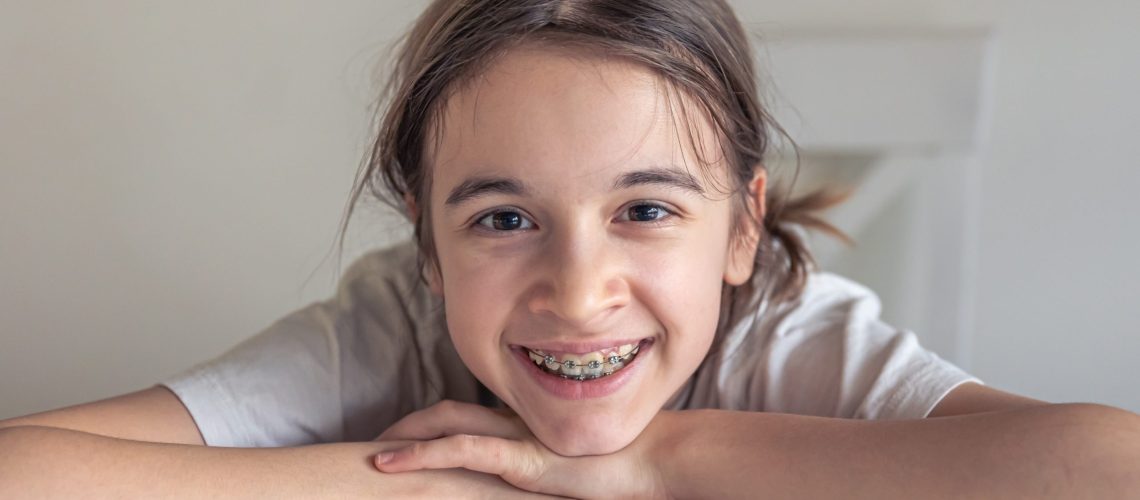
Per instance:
{"type": "Point", "coordinates": [50, 463]}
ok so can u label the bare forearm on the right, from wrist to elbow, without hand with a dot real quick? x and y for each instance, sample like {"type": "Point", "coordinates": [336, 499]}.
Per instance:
{"type": "Point", "coordinates": [1054, 452]}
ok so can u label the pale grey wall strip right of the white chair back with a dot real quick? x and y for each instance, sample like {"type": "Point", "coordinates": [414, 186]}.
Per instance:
{"type": "Point", "coordinates": [1060, 282]}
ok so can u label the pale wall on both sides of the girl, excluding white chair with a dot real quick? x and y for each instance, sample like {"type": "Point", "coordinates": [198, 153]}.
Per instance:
{"type": "Point", "coordinates": [172, 174]}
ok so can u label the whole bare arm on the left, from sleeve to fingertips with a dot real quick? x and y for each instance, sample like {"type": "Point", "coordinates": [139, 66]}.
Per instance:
{"type": "Point", "coordinates": [113, 448]}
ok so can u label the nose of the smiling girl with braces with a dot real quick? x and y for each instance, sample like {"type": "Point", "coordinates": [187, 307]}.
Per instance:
{"type": "Point", "coordinates": [582, 281]}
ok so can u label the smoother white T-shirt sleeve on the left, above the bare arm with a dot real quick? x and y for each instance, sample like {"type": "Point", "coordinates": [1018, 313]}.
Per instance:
{"type": "Point", "coordinates": [278, 389]}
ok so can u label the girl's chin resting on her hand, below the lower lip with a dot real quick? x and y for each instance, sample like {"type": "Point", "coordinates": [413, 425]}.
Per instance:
{"type": "Point", "coordinates": [583, 437]}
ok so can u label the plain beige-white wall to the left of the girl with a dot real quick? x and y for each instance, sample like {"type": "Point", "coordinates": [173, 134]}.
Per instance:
{"type": "Point", "coordinates": [170, 176]}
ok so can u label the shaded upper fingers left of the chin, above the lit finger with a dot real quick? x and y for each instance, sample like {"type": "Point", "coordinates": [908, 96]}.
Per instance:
{"type": "Point", "coordinates": [453, 417]}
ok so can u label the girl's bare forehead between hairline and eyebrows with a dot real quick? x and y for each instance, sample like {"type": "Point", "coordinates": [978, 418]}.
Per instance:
{"type": "Point", "coordinates": [558, 114]}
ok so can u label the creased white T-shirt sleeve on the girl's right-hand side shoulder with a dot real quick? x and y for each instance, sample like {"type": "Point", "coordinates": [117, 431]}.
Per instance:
{"type": "Point", "coordinates": [835, 357]}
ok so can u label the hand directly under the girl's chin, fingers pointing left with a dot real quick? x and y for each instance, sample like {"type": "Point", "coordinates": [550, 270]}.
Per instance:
{"type": "Point", "coordinates": [453, 435]}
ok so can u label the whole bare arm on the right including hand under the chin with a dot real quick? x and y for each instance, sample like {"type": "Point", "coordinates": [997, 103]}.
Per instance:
{"type": "Point", "coordinates": [988, 445]}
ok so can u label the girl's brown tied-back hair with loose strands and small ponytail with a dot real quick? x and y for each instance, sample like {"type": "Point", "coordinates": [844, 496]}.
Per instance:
{"type": "Point", "coordinates": [697, 47]}
